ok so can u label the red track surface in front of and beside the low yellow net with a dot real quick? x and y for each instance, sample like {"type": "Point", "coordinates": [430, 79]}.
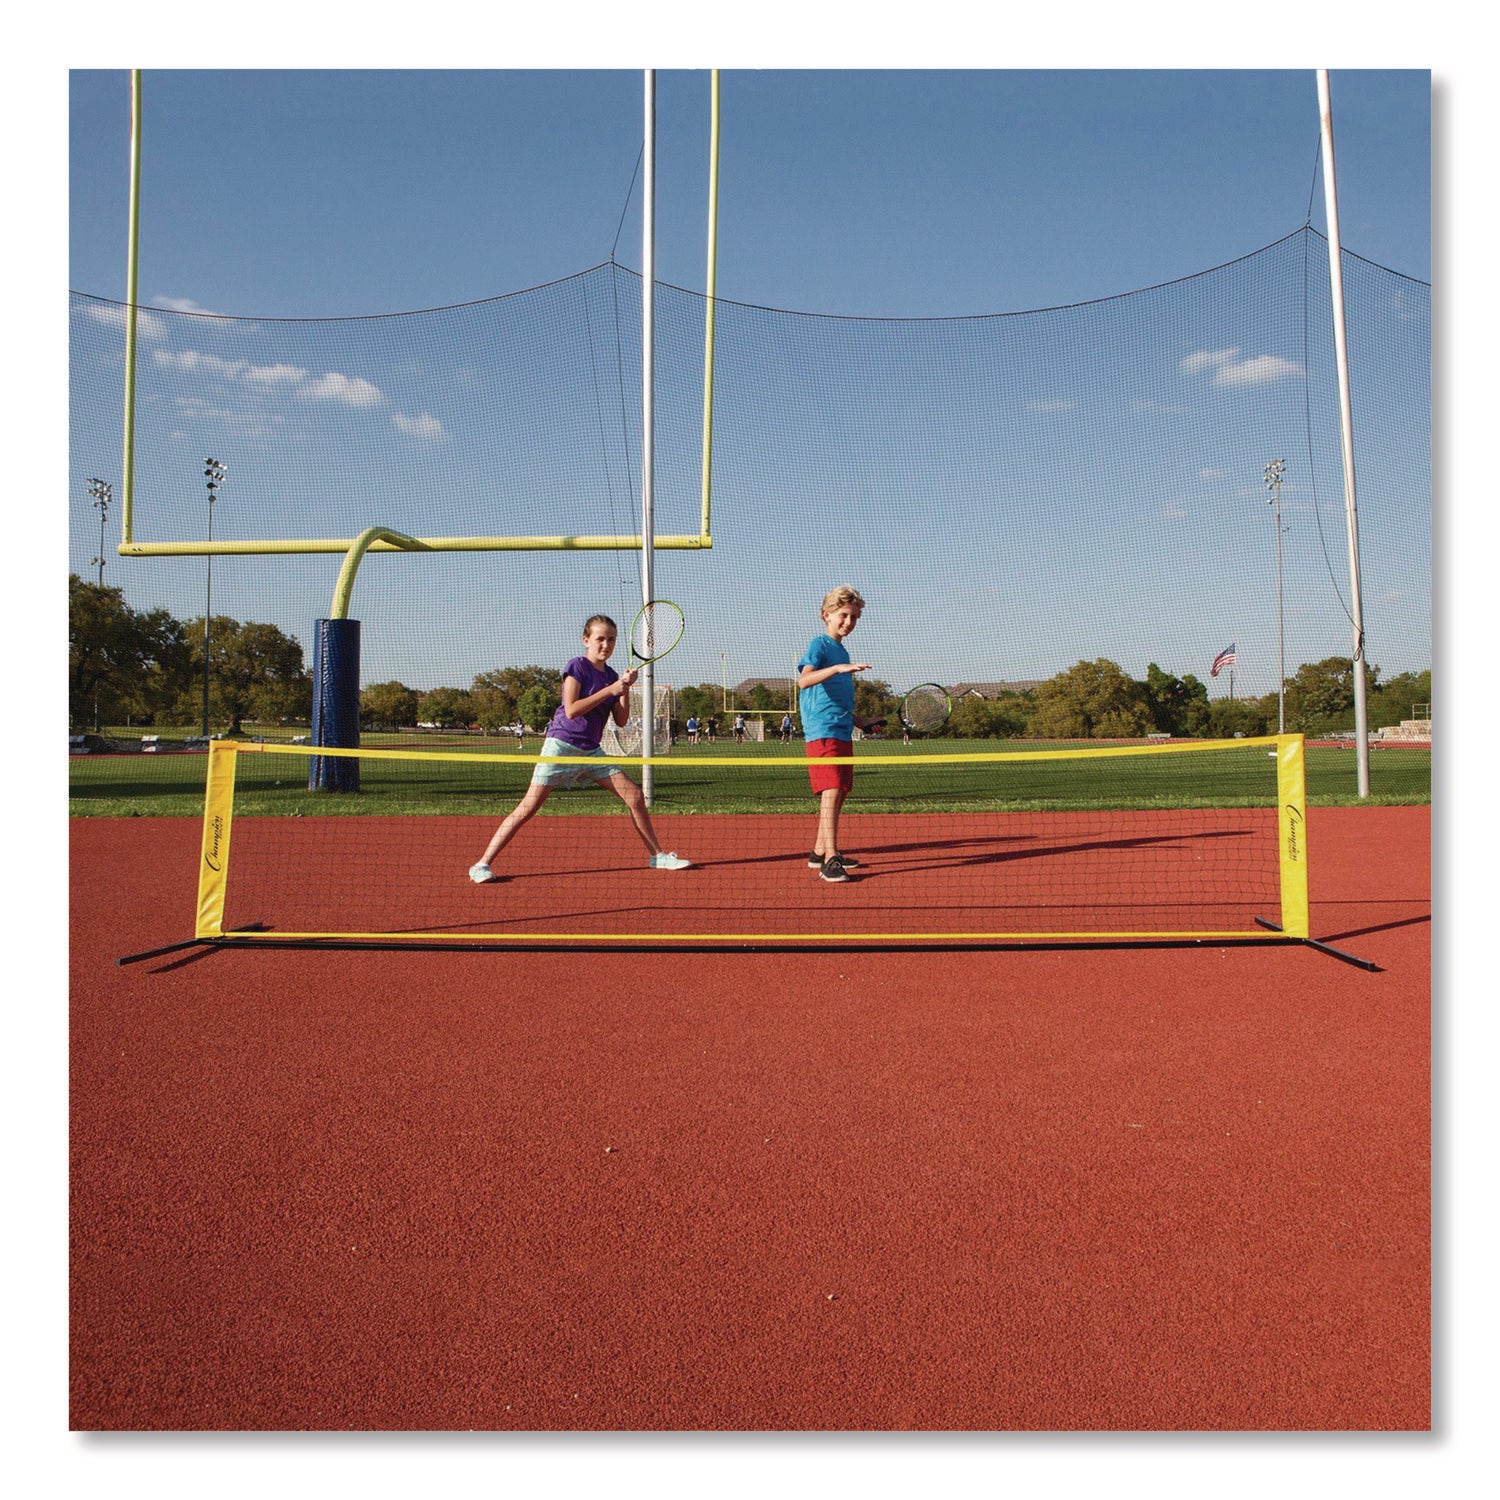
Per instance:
{"type": "Point", "coordinates": [1022, 1190]}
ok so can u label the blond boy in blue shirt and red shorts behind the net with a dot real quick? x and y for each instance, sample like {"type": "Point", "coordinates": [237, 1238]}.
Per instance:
{"type": "Point", "coordinates": [826, 698]}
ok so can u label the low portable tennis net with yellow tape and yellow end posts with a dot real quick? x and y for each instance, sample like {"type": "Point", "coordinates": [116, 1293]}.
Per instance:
{"type": "Point", "coordinates": [1159, 844]}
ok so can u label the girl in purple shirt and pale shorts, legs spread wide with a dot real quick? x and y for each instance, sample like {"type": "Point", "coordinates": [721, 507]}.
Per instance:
{"type": "Point", "coordinates": [593, 692]}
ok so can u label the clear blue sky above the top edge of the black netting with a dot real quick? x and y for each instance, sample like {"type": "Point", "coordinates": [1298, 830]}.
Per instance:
{"type": "Point", "coordinates": [896, 194]}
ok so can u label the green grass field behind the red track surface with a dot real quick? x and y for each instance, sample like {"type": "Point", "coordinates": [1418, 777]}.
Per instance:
{"type": "Point", "coordinates": [766, 778]}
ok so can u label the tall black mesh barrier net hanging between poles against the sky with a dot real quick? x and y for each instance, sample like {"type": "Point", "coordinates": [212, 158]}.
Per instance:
{"type": "Point", "coordinates": [1012, 493]}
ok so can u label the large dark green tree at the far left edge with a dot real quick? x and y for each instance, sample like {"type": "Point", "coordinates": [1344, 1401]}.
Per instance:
{"type": "Point", "coordinates": [121, 662]}
